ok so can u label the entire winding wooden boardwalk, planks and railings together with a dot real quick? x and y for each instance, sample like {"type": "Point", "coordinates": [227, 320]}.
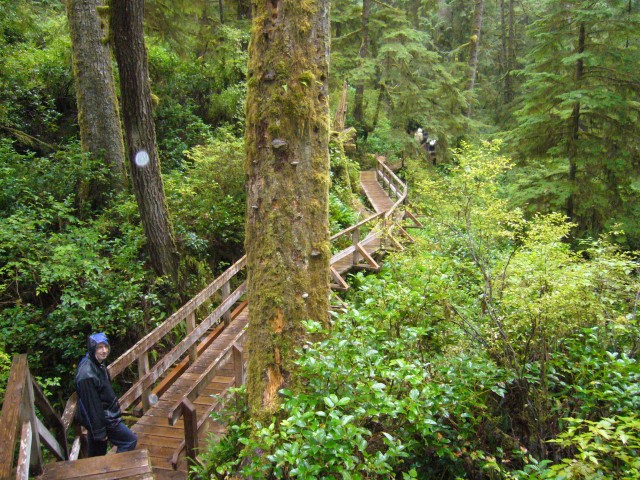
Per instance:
{"type": "Point", "coordinates": [193, 379]}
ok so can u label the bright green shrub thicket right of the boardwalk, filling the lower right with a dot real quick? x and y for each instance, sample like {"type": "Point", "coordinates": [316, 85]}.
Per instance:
{"type": "Point", "coordinates": [464, 355]}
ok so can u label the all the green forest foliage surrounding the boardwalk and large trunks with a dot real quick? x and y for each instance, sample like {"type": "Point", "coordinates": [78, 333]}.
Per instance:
{"type": "Point", "coordinates": [503, 344]}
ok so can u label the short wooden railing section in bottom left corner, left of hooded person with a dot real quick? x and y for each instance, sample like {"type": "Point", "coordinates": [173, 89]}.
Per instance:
{"type": "Point", "coordinates": [19, 421]}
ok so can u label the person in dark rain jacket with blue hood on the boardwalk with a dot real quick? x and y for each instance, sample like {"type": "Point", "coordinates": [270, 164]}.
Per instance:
{"type": "Point", "coordinates": [98, 407]}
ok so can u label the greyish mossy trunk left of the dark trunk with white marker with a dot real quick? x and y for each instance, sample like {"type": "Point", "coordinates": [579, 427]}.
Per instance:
{"type": "Point", "coordinates": [98, 116]}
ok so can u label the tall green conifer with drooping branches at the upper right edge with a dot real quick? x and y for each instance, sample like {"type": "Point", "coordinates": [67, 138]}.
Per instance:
{"type": "Point", "coordinates": [577, 133]}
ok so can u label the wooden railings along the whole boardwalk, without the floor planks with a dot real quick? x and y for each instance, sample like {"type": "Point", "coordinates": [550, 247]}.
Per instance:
{"type": "Point", "coordinates": [22, 393]}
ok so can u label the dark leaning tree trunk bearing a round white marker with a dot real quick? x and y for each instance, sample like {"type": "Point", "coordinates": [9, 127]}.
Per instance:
{"type": "Point", "coordinates": [131, 55]}
